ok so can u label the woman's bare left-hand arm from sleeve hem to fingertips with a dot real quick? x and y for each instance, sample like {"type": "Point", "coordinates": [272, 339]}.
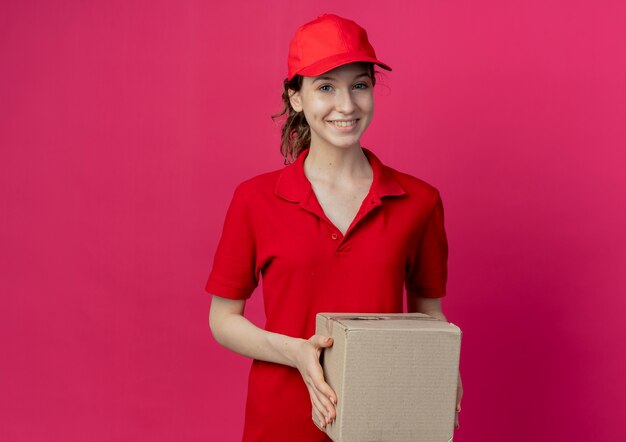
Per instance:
{"type": "Point", "coordinates": [233, 331]}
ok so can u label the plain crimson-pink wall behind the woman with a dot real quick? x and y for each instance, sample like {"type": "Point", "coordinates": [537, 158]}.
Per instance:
{"type": "Point", "coordinates": [125, 125]}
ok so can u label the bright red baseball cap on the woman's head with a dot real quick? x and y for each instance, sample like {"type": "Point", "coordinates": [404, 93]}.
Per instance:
{"type": "Point", "coordinates": [327, 42]}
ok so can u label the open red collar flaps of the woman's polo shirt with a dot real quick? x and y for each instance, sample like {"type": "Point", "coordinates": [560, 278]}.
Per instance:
{"type": "Point", "coordinates": [294, 186]}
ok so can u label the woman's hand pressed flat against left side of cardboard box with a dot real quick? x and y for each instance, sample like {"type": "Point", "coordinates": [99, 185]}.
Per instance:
{"type": "Point", "coordinates": [323, 398]}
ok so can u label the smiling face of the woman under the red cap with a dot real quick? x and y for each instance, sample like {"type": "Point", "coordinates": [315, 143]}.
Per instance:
{"type": "Point", "coordinates": [338, 105]}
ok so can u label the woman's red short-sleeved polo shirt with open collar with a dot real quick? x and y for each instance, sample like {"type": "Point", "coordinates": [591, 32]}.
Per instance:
{"type": "Point", "coordinates": [276, 232]}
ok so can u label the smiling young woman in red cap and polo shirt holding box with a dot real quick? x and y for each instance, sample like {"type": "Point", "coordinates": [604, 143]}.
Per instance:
{"type": "Point", "coordinates": [334, 231]}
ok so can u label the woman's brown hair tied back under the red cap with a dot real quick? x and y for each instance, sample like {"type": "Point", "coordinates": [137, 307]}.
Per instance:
{"type": "Point", "coordinates": [295, 132]}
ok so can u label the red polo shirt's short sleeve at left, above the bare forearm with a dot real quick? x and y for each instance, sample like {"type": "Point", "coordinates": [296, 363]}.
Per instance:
{"type": "Point", "coordinates": [234, 273]}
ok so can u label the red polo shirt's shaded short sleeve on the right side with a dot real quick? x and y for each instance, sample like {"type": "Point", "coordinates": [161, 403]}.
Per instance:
{"type": "Point", "coordinates": [428, 274]}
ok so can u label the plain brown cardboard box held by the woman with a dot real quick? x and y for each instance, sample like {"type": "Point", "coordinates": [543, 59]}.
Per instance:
{"type": "Point", "coordinates": [395, 376]}
